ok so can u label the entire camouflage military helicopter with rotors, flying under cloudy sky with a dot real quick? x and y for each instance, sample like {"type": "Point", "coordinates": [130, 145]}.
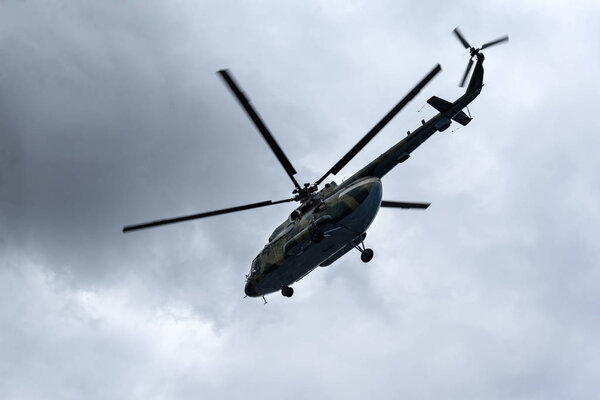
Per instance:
{"type": "Point", "coordinates": [331, 221]}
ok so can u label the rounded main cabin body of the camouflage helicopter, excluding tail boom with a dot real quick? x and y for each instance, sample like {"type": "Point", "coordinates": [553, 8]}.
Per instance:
{"type": "Point", "coordinates": [341, 213]}
